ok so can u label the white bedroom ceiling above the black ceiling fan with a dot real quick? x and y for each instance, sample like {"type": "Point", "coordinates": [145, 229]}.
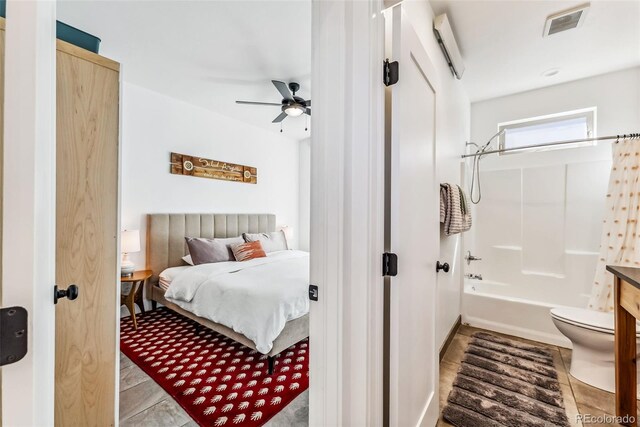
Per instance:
{"type": "Point", "coordinates": [207, 53]}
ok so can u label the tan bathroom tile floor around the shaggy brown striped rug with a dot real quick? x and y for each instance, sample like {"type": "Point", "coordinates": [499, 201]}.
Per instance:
{"type": "Point", "coordinates": [579, 398]}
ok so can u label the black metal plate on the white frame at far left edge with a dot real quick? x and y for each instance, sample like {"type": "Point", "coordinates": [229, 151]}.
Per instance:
{"type": "Point", "coordinates": [13, 334]}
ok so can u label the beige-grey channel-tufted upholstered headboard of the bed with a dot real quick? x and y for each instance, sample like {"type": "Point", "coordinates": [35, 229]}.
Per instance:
{"type": "Point", "coordinates": [166, 232]}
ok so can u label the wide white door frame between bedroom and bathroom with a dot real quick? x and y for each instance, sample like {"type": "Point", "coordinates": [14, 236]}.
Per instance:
{"type": "Point", "coordinates": [347, 213]}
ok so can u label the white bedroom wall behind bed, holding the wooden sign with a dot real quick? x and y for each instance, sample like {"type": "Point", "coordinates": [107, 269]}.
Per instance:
{"type": "Point", "coordinates": [155, 125]}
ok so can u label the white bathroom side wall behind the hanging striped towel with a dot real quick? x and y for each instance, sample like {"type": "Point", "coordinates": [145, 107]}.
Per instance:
{"type": "Point", "coordinates": [452, 131]}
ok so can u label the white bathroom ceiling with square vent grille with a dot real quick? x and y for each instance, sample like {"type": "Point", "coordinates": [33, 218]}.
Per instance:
{"type": "Point", "coordinates": [504, 51]}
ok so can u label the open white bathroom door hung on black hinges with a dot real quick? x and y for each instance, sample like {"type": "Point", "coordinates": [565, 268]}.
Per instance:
{"type": "Point", "coordinates": [413, 231]}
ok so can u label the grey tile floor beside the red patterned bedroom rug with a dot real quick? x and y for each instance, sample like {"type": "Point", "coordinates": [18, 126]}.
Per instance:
{"type": "Point", "coordinates": [144, 403]}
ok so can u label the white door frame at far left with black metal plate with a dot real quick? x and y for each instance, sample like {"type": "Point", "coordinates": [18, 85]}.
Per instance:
{"type": "Point", "coordinates": [28, 241]}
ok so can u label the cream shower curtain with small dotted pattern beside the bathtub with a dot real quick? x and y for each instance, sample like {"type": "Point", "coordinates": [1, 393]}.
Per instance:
{"type": "Point", "coordinates": [619, 244]}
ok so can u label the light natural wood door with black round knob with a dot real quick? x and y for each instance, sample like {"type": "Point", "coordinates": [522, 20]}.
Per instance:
{"type": "Point", "coordinates": [86, 237]}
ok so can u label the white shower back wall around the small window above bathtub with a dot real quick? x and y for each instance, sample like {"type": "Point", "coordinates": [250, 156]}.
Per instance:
{"type": "Point", "coordinates": [538, 225]}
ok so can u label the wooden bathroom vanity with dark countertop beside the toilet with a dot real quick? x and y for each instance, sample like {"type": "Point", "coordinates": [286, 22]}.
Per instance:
{"type": "Point", "coordinates": [627, 310]}
